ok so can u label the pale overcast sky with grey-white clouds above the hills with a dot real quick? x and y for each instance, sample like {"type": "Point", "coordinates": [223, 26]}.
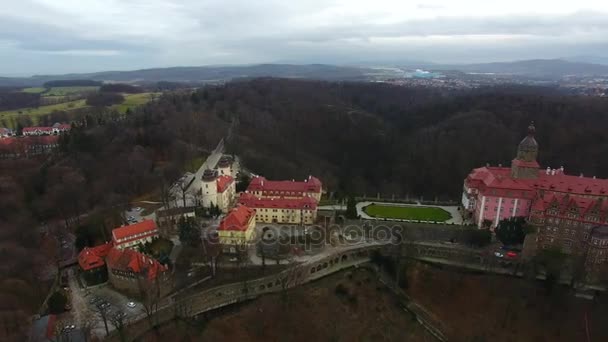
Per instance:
{"type": "Point", "coordinates": [60, 36]}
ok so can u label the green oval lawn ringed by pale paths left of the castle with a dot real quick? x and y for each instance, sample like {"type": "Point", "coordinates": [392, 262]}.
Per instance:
{"type": "Point", "coordinates": [407, 213]}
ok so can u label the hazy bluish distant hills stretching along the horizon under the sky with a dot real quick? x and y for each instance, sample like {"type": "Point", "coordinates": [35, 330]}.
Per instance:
{"type": "Point", "coordinates": [537, 68]}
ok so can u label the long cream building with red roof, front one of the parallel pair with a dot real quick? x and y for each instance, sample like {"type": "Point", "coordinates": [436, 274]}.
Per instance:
{"type": "Point", "coordinates": [301, 210]}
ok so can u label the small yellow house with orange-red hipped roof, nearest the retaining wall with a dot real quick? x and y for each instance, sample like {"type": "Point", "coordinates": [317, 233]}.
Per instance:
{"type": "Point", "coordinates": [237, 228]}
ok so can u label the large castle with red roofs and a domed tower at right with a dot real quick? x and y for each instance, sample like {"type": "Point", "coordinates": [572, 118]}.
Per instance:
{"type": "Point", "coordinates": [569, 212]}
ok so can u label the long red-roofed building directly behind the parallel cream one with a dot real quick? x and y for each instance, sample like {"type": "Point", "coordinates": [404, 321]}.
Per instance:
{"type": "Point", "coordinates": [262, 187]}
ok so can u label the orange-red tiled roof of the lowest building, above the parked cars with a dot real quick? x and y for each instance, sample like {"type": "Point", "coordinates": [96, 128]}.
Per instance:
{"type": "Point", "coordinates": [129, 260]}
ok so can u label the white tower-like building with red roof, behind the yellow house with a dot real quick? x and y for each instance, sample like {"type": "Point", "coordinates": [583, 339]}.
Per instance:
{"type": "Point", "coordinates": [218, 190]}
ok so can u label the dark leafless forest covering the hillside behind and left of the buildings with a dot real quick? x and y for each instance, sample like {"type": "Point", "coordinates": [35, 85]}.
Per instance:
{"type": "Point", "coordinates": [357, 137]}
